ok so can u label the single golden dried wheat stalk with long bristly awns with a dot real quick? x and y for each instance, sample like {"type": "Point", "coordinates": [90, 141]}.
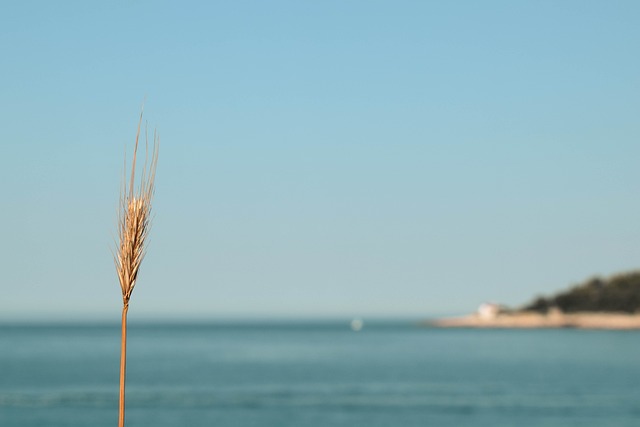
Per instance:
{"type": "Point", "coordinates": [134, 222]}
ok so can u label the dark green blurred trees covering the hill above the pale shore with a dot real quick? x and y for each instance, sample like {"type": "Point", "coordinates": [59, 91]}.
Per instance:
{"type": "Point", "coordinates": [619, 293]}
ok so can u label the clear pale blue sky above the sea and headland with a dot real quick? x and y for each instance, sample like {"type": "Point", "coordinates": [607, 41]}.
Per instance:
{"type": "Point", "coordinates": [334, 158]}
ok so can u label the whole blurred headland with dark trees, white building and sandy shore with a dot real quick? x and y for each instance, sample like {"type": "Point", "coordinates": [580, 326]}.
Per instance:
{"type": "Point", "coordinates": [612, 303]}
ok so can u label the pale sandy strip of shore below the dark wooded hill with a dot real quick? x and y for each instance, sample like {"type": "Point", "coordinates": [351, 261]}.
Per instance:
{"type": "Point", "coordinates": [532, 320]}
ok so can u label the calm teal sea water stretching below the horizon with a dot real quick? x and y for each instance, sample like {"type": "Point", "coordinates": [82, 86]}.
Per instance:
{"type": "Point", "coordinates": [318, 375]}
